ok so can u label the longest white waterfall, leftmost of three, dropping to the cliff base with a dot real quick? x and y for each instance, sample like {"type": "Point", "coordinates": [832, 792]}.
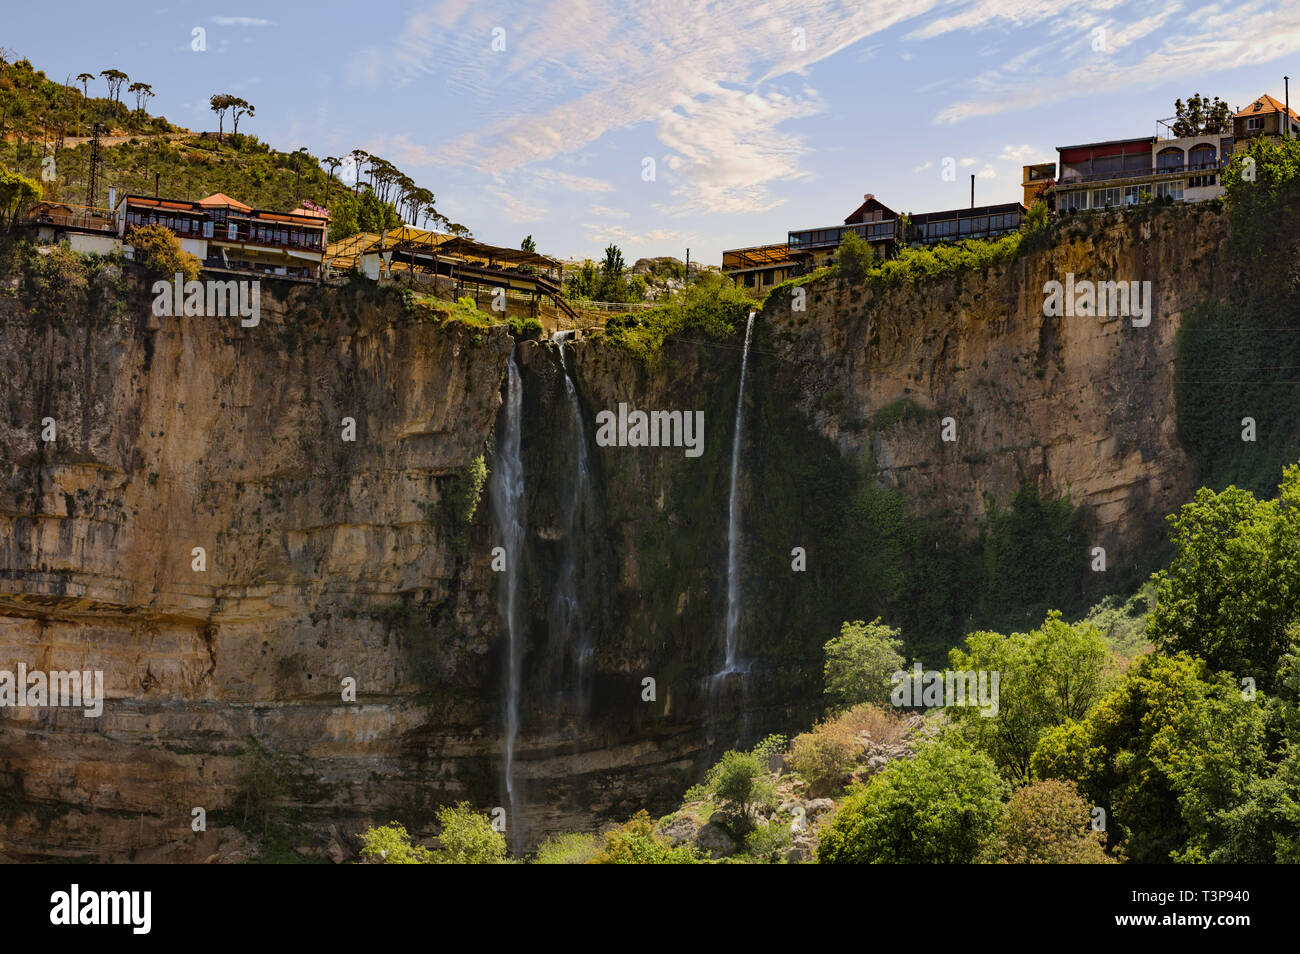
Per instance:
{"type": "Point", "coordinates": [508, 498]}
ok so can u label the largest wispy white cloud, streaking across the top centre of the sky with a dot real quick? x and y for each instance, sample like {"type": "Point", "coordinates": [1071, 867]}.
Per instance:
{"type": "Point", "coordinates": [578, 71]}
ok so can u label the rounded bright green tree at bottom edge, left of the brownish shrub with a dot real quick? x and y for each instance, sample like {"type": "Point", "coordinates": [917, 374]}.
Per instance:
{"type": "Point", "coordinates": [942, 806]}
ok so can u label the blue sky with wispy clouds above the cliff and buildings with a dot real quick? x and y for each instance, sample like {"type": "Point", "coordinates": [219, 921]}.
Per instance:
{"type": "Point", "coordinates": [665, 125]}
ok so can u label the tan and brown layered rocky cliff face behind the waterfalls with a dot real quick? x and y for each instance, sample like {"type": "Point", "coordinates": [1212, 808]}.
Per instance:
{"type": "Point", "coordinates": [371, 560]}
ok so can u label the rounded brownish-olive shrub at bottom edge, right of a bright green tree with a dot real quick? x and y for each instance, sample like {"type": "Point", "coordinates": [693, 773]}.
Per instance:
{"type": "Point", "coordinates": [1050, 823]}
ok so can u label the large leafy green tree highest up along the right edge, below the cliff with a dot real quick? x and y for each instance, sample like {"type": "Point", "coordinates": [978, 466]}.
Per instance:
{"type": "Point", "coordinates": [1233, 588]}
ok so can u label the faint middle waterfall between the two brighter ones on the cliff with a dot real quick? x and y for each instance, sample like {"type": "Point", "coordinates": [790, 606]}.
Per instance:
{"type": "Point", "coordinates": [569, 605]}
